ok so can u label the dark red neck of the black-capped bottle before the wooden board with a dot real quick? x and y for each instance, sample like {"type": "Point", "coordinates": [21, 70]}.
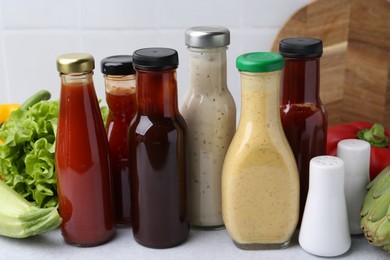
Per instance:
{"type": "Point", "coordinates": [300, 80]}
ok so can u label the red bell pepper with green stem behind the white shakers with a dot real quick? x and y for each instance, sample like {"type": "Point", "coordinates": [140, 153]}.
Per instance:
{"type": "Point", "coordinates": [375, 134]}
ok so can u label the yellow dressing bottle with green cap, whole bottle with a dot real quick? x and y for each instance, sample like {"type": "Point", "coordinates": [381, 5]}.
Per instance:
{"type": "Point", "coordinates": [260, 183]}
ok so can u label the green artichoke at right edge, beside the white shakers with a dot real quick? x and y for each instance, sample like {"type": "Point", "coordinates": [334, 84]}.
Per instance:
{"type": "Point", "coordinates": [375, 212]}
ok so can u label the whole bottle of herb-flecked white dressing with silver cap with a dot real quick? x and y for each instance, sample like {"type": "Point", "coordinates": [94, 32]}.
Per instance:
{"type": "Point", "coordinates": [210, 114]}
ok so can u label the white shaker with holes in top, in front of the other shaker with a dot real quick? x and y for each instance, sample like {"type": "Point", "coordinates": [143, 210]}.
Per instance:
{"type": "Point", "coordinates": [325, 230]}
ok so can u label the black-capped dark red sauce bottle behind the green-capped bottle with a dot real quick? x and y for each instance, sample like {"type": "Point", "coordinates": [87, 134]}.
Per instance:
{"type": "Point", "coordinates": [304, 117]}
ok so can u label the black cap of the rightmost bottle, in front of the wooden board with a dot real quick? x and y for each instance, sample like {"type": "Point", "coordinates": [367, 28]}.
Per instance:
{"type": "Point", "coordinates": [300, 47]}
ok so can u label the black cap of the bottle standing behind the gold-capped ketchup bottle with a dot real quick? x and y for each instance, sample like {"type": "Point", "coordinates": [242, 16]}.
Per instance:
{"type": "Point", "coordinates": [117, 65]}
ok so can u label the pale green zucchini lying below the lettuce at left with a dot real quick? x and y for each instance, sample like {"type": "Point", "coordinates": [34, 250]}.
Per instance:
{"type": "Point", "coordinates": [19, 218]}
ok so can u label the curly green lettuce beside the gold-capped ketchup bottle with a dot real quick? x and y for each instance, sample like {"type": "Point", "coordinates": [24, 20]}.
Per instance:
{"type": "Point", "coordinates": [27, 153]}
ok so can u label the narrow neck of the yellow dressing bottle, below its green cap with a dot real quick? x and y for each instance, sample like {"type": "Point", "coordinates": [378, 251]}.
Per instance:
{"type": "Point", "coordinates": [260, 99]}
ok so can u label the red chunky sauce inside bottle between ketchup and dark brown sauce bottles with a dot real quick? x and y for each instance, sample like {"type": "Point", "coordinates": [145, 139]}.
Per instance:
{"type": "Point", "coordinates": [122, 104]}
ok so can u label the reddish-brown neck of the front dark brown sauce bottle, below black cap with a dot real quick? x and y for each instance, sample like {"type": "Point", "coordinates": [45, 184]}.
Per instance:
{"type": "Point", "coordinates": [157, 93]}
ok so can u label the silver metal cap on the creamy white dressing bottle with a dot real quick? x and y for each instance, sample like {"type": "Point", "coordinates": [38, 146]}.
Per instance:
{"type": "Point", "coordinates": [207, 37]}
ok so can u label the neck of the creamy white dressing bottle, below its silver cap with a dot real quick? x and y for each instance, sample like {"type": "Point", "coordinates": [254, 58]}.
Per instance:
{"type": "Point", "coordinates": [208, 70]}
